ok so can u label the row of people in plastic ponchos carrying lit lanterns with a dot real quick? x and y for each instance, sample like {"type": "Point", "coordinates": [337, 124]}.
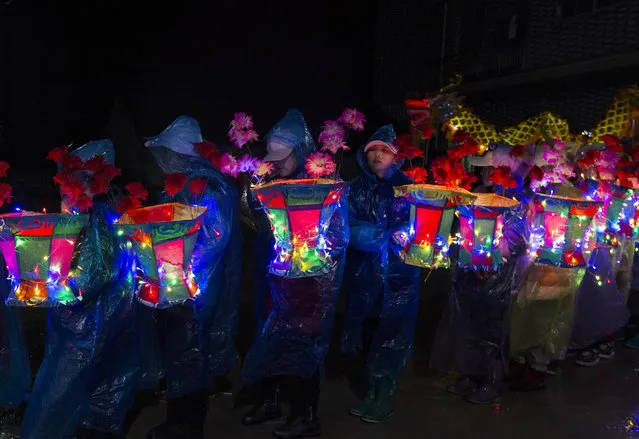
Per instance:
{"type": "Point", "coordinates": [516, 318]}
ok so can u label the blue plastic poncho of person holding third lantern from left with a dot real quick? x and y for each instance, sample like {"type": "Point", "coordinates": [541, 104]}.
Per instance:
{"type": "Point", "coordinates": [295, 338]}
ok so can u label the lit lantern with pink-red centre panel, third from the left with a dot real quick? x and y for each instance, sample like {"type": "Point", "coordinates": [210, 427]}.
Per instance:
{"type": "Point", "coordinates": [299, 212]}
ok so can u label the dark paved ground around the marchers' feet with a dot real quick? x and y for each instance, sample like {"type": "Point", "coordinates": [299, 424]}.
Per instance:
{"type": "Point", "coordinates": [598, 402]}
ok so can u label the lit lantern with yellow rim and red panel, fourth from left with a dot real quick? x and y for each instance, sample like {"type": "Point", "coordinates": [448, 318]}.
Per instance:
{"type": "Point", "coordinates": [432, 212]}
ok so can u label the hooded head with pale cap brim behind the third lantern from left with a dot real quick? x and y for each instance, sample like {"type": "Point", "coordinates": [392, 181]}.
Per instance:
{"type": "Point", "coordinates": [289, 143]}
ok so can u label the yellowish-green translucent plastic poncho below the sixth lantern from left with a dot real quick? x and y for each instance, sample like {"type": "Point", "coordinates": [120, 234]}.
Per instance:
{"type": "Point", "coordinates": [542, 315]}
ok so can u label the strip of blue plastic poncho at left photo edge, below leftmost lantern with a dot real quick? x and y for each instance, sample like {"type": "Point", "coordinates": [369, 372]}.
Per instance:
{"type": "Point", "coordinates": [15, 369]}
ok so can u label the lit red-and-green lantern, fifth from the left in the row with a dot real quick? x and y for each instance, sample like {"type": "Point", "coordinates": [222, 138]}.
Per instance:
{"type": "Point", "coordinates": [481, 227]}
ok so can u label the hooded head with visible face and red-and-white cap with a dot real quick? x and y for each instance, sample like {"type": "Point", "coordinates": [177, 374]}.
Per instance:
{"type": "Point", "coordinates": [379, 156]}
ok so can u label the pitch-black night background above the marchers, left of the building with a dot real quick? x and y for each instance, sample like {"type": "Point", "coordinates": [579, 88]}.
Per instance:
{"type": "Point", "coordinates": [77, 71]}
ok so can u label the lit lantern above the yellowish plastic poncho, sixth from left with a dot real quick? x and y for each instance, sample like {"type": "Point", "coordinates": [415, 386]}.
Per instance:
{"type": "Point", "coordinates": [562, 225]}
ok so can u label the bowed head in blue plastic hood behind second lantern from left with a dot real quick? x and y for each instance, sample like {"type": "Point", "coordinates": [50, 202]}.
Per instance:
{"type": "Point", "coordinates": [174, 150]}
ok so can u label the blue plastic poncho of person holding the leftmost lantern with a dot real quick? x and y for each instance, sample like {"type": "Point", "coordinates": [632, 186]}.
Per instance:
{"type": "Point", "coordinates": [88, 373]}
